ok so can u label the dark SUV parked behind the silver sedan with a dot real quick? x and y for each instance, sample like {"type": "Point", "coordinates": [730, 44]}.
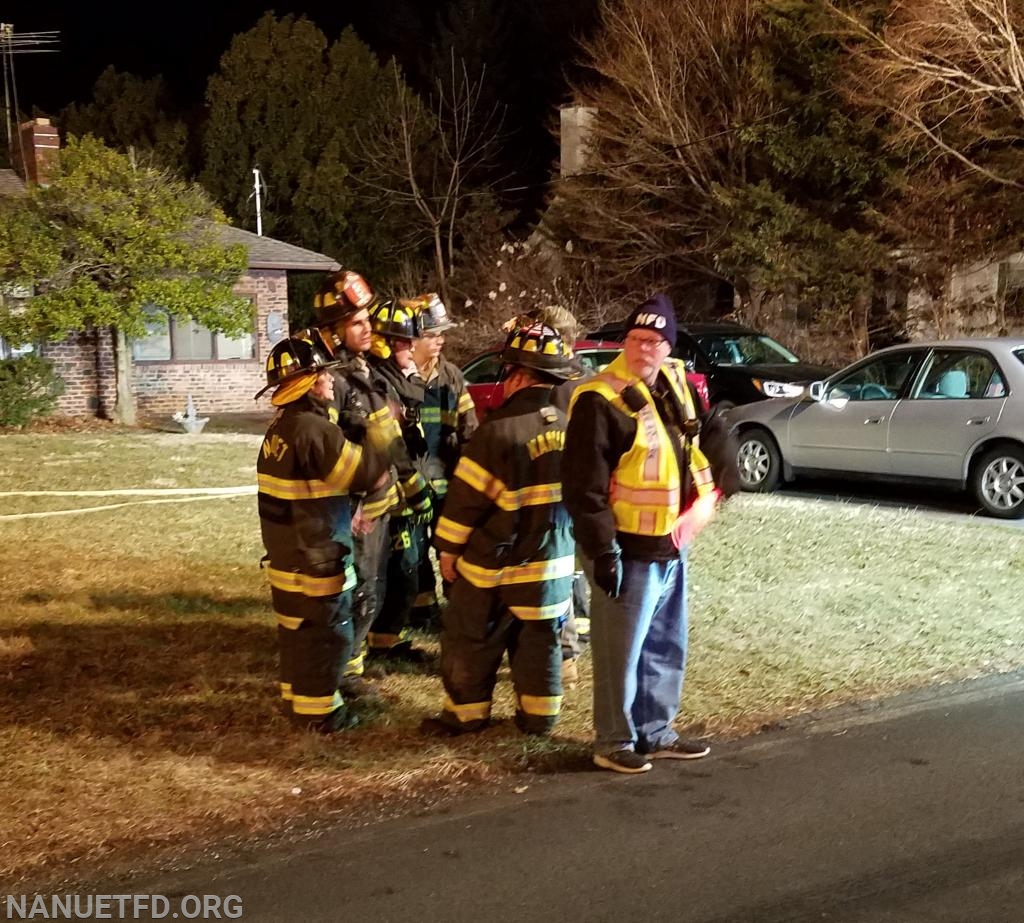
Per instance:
{"type": "Point", "coordinates": [742, 365]}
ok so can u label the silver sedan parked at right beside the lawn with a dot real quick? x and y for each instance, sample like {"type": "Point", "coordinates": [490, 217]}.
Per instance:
{"type": "Point", "coordinates": [950, 413]}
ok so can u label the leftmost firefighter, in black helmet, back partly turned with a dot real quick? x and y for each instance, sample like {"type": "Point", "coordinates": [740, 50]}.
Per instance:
{"type": "Point", "coordinates": [306, 471]}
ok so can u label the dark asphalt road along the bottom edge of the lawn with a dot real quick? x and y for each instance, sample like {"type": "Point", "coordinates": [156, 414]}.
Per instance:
{"type": "Point", "coordinates": [906, 812]}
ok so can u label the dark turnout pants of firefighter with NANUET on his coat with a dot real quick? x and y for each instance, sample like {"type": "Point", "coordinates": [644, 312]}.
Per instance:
{"type": "Point", "coordinates": [477, 632]}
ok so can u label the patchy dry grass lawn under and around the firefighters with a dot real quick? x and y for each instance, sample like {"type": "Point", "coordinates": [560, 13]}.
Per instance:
{"type": "Point", "coordinates": [138, 703]}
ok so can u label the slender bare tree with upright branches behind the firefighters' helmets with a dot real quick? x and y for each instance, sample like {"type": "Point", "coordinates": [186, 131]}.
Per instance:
{"type": "Point", "coordinates": [436, 157]}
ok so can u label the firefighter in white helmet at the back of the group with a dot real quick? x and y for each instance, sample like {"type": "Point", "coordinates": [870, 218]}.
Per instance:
{"type": "Point", "coordinates": [449, 421]}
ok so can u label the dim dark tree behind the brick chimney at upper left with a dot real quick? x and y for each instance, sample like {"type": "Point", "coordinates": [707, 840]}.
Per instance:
{"type": "Point", "coordinates": [132, 113]}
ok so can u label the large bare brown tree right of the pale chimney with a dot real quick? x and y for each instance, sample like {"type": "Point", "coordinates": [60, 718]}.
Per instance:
{"type": "Point", "coordinates": [673, 89]}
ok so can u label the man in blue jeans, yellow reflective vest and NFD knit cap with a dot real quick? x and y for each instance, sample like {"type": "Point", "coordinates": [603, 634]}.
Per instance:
{"type": "Point", "coordinates": [638, 488]}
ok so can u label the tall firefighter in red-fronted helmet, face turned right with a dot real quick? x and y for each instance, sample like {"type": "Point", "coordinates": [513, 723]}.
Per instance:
{"type": "Point", "coordinates": [343, 315]}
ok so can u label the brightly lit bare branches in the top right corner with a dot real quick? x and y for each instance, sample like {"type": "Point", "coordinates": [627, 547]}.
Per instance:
{"type": "Point", "coordinates": [953, 74]}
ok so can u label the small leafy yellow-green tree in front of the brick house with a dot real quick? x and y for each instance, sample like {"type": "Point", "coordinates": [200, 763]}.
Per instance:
{"type": "Point", "coordinates": [107, 242]}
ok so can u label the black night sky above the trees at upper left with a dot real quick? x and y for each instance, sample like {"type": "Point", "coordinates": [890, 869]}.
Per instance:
{"type": "Point", "coordinates": [183, 40]}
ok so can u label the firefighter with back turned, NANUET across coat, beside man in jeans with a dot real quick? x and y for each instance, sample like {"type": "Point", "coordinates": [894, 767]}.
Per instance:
{"type": "Point", "coordinates": [506, 546]}
